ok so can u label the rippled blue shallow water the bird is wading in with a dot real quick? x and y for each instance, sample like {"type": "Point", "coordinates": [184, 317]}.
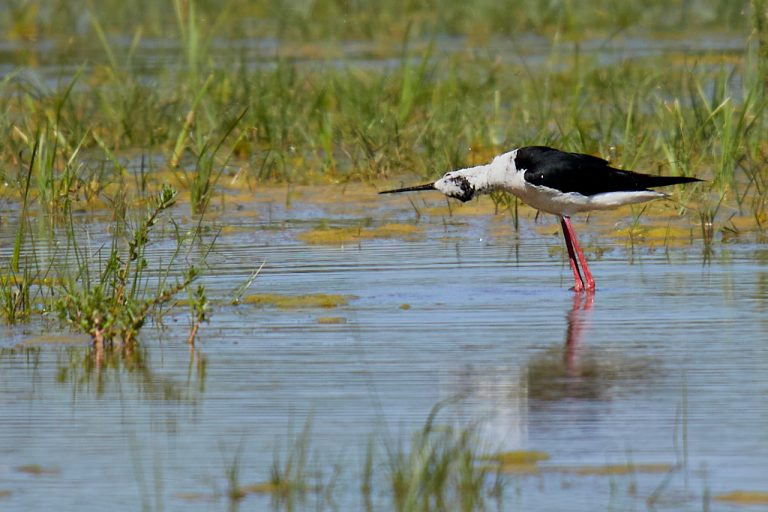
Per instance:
{"type": "Point", "coordinates": [667, 365]}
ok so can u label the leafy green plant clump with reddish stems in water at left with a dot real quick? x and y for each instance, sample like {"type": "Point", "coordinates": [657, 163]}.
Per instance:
{"type": "Point", "coordinates": [113, 304]}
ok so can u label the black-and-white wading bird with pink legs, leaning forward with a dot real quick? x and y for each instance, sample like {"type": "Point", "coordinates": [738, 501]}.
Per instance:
{"type": "Point", "coordinates": [555, 182]}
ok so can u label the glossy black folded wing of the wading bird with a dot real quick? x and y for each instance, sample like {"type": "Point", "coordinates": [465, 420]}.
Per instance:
{"type": "Point", "coordinates": [588, 175]}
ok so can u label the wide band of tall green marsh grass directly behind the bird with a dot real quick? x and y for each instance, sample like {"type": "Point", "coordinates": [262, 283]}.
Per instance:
{"type": "Point", "coordinates": [427, 112]}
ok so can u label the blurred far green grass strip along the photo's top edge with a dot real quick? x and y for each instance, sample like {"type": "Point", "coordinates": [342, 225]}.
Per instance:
{"type": "Point", "coordinates": [369, 19]}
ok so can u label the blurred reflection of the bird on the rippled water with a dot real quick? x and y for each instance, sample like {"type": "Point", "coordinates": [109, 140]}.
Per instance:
{"type": "Point", "coordinates": [505, 401]}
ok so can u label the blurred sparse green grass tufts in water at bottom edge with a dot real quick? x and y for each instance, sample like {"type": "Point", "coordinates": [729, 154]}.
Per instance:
{"type": "Point", "coordinates": [441, 469]}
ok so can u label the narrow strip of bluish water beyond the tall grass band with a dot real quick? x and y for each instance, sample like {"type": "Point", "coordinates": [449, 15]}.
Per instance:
{"type": "Point", "coordinates": [46, 64]}
